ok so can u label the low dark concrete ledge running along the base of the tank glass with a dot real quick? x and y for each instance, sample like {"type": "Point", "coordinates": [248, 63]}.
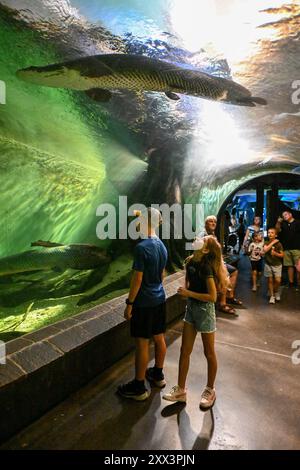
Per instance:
{"type": "Point", "coordinates": [45, 366]}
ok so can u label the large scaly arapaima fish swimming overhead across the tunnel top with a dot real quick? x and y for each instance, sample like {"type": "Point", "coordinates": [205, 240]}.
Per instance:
{"type": "Point", "coordinates": [99, 75]}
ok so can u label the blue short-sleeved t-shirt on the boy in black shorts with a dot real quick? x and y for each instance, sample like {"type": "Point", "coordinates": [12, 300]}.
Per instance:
{"type": "Point", "coordinates": [150, 257]}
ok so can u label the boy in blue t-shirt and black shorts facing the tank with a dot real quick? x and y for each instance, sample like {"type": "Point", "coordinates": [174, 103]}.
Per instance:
{"type": "Point", "coordinates": [146, 307]}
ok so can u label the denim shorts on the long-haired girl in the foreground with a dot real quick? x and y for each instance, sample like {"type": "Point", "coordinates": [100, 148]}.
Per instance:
{"type": "Point", "coordinates": [202, 315]}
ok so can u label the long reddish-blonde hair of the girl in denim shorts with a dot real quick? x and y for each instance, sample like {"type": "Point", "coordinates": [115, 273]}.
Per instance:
{"type": "Point", "coordinates": [213, 257]}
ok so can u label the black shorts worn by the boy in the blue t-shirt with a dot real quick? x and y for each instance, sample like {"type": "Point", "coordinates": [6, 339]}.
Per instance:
{"type": "Point", "coordinates": [148, 321]}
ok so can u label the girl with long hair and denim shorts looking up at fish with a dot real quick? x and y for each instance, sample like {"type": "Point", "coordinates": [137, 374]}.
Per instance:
{"type": "Point", "coordinates": [205, 273]}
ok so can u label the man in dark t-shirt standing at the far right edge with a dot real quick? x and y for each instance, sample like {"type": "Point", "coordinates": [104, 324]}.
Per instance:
{"type": "Point", "coordinates": [289, 236]}
